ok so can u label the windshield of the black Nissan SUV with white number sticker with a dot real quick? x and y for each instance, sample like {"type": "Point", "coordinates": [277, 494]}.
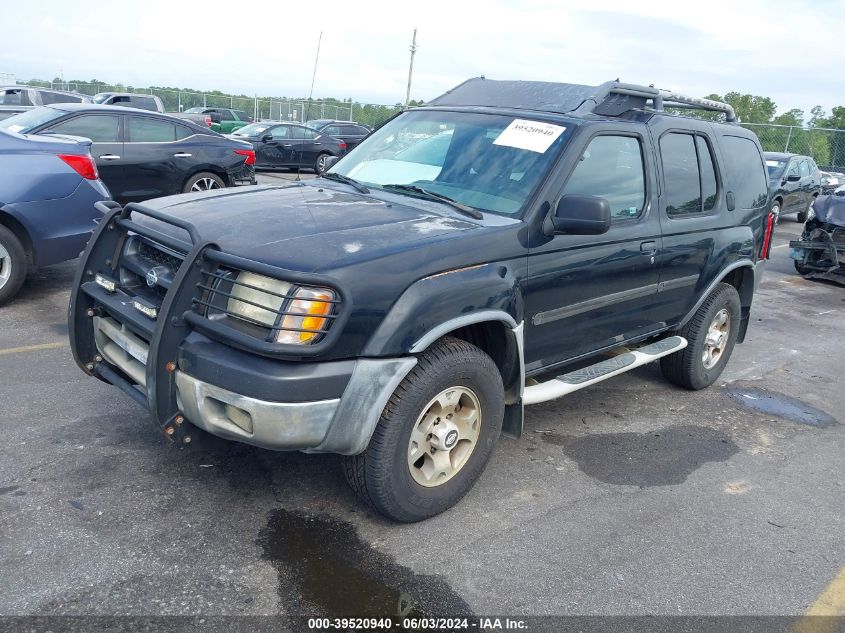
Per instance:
{"type": "Point", "coordinates": [486, 161]}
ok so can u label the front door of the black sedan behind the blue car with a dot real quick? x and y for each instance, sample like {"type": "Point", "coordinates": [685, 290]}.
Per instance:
{"type": "Point", "coordinates": [105, 132]}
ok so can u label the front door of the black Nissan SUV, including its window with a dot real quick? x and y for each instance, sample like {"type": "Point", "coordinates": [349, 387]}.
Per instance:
{"type": "Point", "coordinates": [586, 292]}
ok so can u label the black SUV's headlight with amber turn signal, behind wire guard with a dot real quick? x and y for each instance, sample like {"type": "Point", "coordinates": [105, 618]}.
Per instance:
{"type": "Point", "coordinates": [294, 315]}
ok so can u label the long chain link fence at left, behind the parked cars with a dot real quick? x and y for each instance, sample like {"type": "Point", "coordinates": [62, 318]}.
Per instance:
{"type": "Point", "coordinates": [300, 110]}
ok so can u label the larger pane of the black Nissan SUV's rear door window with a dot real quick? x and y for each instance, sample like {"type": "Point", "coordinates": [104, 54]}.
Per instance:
{"type": "Point", "coordinates": [680, 174]}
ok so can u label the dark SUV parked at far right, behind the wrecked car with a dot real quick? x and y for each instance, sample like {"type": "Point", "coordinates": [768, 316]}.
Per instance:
{"type": "Point", "coordinates": [794, 182]}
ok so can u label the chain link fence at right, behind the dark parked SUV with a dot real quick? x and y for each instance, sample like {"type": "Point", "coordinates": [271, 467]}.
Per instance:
{"type": "Point", "coordinates": [825, 146]}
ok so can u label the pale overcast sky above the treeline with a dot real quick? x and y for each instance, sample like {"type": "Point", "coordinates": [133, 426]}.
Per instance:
{"type": "Point", "coordinates": [792, 51]}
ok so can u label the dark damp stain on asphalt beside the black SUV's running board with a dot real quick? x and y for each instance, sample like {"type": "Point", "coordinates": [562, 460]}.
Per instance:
{"type": "Point", "coordinates": [665, 457]}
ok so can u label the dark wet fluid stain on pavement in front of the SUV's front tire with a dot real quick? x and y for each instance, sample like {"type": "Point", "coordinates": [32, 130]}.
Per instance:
{"type": "Point", "coordinates": [326, 569]}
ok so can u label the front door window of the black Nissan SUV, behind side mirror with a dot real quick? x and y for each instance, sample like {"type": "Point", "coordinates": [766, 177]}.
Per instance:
{"type": "Point", "coordinates": [612, 167]}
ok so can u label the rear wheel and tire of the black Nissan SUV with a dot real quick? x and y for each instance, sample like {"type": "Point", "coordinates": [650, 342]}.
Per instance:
{"type": "Point", "coordinates": [690, 368]}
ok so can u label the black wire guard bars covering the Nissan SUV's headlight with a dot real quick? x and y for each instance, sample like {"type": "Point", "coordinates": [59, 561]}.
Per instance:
{"type": "Point", "coordinates": [252, 308]}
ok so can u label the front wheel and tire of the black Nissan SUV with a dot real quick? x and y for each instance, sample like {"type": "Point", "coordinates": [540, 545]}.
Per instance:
{"type": "Point", "coordinates": [384, 476]}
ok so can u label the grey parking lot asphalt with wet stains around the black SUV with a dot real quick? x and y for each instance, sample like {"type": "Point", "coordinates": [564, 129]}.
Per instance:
{"type": "Point", "coordinates": [631, 497]}
